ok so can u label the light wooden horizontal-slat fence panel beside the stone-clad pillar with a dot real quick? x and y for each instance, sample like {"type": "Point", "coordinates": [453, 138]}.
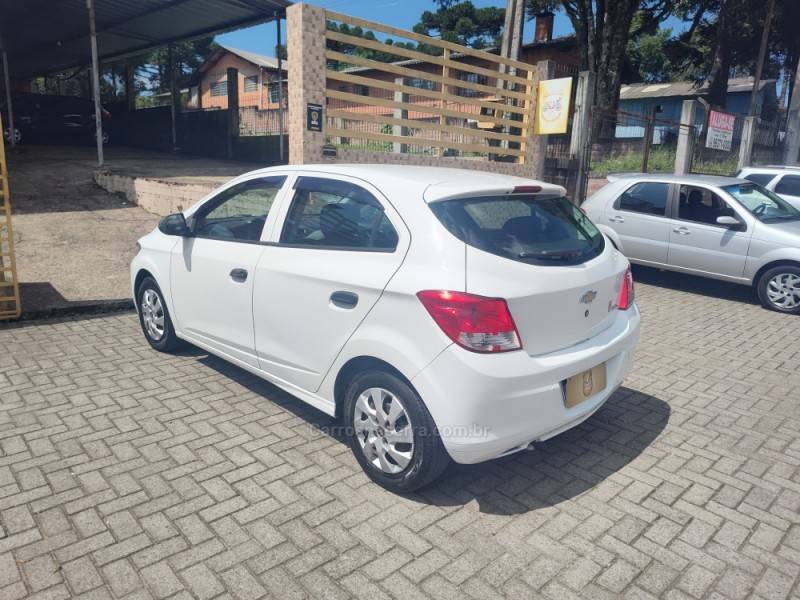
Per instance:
{"type": "Point", "coordinates": [426, 103]}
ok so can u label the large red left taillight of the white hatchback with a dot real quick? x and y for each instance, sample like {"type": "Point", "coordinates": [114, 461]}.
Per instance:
{"type": "Point", "coordinates": [473, 322]}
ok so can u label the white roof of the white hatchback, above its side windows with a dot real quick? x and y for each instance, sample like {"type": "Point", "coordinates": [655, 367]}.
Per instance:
{"type": "Point", "coordinates": [430, 183]}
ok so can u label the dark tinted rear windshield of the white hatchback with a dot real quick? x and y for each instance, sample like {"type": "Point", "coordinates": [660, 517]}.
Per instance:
{"type": "Point", "coordinates": [525, 228]}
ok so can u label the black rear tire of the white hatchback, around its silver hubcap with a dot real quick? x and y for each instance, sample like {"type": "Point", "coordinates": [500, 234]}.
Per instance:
{"type": "Point", "coordinates": [429, 458]}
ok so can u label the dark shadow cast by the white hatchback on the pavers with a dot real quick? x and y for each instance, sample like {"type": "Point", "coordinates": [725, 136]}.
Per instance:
{"type": "Point", "coordinates": [561, 468]}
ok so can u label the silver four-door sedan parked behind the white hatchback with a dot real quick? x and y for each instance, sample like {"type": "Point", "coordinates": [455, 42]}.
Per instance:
{"type": "Point", "coordinates": [719, 227]}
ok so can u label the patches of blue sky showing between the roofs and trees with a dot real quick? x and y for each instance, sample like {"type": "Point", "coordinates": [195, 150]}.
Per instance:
{"type": "Point", "coordinates": [399, 13]}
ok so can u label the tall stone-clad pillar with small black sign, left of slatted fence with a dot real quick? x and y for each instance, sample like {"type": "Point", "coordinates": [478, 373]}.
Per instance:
{"type": "Point", "coordinates": [305, 38]}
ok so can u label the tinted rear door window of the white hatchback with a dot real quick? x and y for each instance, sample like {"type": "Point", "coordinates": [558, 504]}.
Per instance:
{"type": "Point", "coordinates": [330, 213]}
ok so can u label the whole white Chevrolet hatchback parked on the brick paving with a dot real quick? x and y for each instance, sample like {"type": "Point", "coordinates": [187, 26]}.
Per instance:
{"type": "Point", "coordinates": [442, 313]}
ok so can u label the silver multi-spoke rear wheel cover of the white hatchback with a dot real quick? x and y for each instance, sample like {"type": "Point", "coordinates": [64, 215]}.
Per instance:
{"type": "Point", "coordinates": [383, 430]}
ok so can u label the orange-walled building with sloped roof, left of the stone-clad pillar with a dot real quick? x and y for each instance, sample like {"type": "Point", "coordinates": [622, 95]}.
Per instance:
{"type": "Point", "coordinates": [258, 80]}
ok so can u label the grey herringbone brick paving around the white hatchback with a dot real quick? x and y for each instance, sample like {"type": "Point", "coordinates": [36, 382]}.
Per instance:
{"type": "Point", "coordinates": [128, 474]}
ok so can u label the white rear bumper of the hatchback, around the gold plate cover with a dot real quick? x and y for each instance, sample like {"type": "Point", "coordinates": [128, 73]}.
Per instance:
{"type": "Point", "coordinates": [486, 406]}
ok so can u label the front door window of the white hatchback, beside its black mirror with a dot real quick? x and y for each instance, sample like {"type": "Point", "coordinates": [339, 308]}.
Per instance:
{"type": "Point", "coordinates": [238, 213]}
